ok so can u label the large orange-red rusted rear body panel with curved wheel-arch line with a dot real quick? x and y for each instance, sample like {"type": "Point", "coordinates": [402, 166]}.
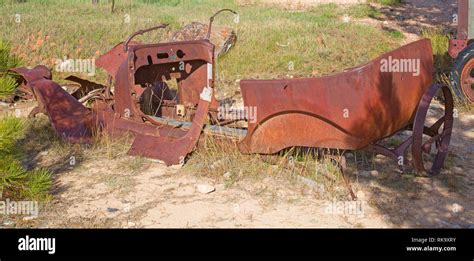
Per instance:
{"type": "Point", "coordinates": [348, 110]}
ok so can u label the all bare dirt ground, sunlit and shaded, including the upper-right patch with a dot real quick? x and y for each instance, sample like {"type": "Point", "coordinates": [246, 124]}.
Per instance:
{"type": "Point", "coordinates": [96, 194]}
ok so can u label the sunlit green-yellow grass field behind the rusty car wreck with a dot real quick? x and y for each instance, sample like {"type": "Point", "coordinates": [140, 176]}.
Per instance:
{"type": "Point", "coordinates": [319, 42]}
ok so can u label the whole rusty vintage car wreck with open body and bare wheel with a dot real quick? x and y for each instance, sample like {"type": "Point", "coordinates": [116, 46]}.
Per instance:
{"type": "Point", "coordinates": [351, 110]}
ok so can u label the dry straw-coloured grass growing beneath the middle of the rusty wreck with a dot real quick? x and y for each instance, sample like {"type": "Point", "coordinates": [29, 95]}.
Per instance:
{"type": "Point", "coordinates": [215, 157]}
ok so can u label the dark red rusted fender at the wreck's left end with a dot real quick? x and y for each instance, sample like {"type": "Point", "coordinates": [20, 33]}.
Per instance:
{"type": "Point", "coordinates": [69, 118]}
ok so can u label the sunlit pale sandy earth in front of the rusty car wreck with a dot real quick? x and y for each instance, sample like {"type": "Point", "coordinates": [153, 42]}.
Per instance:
{"type": "Point", "coordinates": [164, 197]}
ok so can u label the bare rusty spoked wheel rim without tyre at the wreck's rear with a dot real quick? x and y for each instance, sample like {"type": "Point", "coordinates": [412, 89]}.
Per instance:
{"type": "Point", "coordinates": [440, 139]}
